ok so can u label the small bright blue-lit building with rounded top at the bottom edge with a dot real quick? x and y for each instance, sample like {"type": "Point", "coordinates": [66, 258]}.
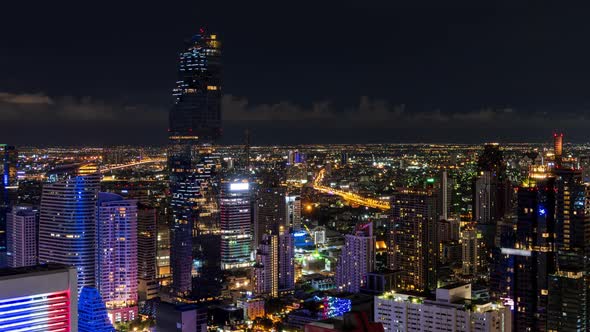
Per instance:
{"type": "Point", "coordinates": [92, 312]}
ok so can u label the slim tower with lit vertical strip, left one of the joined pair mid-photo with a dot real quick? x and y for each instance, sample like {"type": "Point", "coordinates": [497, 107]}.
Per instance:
{"type": "Point", "coordinates": [266, 268]}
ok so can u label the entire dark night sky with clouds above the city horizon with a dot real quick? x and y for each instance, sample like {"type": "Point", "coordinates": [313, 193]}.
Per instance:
{"type": "Point", "coordinates": [314, 72]}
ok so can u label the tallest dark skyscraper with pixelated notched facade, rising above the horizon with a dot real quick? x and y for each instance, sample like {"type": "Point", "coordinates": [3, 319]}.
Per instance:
{"type": "Point", "coordinates": [195, 121]}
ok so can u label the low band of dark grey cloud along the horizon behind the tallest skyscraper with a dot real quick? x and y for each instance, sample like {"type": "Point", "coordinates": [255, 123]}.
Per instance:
{"type": "Point", "coordinates": [71, 120]}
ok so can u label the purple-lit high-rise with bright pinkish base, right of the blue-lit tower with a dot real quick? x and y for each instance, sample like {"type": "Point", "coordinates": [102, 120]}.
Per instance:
{"type": "Point", "coordinates": [116, 260]}
